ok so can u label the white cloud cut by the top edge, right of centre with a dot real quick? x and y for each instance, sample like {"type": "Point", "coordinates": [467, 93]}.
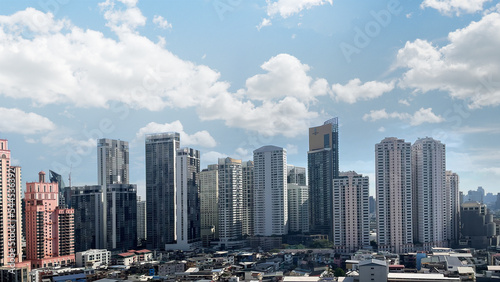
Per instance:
{"type": "Point", "coordinates": [287, 8]}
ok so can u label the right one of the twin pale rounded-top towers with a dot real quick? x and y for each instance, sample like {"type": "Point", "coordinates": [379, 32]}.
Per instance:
{"type": "Point", "coordinates": [430, 221]}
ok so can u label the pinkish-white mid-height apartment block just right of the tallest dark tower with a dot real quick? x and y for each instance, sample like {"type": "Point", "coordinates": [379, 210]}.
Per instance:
{"type": "Point", "coordinates": [351, 212]}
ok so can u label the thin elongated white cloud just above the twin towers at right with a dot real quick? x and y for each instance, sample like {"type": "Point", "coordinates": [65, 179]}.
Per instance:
{"type": "Point", "coordinates": [419, 117]}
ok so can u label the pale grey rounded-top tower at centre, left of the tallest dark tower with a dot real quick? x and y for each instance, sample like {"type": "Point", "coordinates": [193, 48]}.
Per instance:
{"type": "Point", "coordinates": [270, 191]}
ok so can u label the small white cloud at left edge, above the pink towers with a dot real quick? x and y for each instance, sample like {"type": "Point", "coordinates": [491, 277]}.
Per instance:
{"type": "Point", "coordinates": [18, 121]}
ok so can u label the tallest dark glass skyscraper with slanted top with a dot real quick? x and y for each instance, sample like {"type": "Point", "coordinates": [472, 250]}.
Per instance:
{"type": "Point", "coordinates": [322, 168]}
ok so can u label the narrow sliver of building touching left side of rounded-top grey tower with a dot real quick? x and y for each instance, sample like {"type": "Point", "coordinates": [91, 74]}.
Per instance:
{"type": "Point", "coordinates": [247, 169]}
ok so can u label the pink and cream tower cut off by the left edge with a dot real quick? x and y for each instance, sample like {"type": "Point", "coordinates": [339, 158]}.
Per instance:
{"type": "Point", "coordinates": [10, 210]}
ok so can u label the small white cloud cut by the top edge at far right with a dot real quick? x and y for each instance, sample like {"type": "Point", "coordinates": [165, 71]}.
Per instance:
{"type": "Point", "coordinates": [457, 7]}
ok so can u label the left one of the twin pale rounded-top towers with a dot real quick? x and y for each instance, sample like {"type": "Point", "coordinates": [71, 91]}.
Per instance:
{"type": "Point", "coordinates": [394, 195]}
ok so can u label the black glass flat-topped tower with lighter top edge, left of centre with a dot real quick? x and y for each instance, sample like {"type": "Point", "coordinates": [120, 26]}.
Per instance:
{"type": "Point", "coordinates": [161, 150]}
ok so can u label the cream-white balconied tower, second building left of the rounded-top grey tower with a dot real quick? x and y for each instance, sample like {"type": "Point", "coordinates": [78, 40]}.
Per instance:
{"type": "Point", "coordinates": [230, 201]}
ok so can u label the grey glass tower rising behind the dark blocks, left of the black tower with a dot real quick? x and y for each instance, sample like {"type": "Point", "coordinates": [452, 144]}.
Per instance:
{"type": "Point", "coordinates": [112, 168]}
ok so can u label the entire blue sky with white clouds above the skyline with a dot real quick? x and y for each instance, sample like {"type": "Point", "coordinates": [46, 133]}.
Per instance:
{"type": "Point", "coordinates": [234, 75]}
